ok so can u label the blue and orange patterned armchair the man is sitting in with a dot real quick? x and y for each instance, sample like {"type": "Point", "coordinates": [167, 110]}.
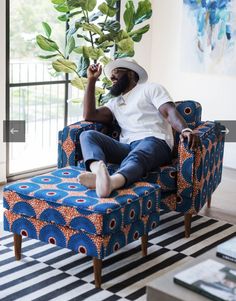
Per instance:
{"type": "Point", "coordinates": [188, 183]}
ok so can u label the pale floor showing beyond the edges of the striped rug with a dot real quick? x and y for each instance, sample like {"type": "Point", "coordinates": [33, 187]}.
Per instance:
{"type": "Point", "coordinates": [223, 205]}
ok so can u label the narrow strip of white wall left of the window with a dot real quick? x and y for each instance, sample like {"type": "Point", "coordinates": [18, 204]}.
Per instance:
{"type": "Point", "coordinates": [2, 90]}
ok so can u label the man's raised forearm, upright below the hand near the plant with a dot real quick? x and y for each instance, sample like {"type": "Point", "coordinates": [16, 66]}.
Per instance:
{"type": "Point", "coordinates": [89, 108]}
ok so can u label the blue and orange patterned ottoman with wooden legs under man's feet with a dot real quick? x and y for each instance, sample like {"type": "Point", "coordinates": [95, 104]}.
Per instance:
{"type": "Point", "coordinates": [55, 208]}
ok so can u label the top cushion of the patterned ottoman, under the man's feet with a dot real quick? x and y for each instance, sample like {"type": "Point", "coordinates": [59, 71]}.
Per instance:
{"type": "Point", "coordinates": [58, 197]}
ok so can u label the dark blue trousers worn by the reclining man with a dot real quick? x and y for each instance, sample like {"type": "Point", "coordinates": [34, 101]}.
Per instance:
{"type": "Point", "coordinates": [135, 159]}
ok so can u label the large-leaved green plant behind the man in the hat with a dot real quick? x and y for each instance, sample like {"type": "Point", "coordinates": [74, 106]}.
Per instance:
{"type": "Point", "coordinates": [93, 35]}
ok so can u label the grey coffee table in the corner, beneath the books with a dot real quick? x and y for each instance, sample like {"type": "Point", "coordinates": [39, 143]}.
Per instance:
{"type": "Point", "coordinates": [164, 289]}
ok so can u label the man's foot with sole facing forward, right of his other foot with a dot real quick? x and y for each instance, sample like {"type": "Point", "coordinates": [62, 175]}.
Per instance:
{"type": "Point", "coordinates": [103, 181]}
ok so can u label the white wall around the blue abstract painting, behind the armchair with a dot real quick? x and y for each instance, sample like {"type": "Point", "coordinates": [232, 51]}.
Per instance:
{"type": "Point", "coordinates": [215, 93]}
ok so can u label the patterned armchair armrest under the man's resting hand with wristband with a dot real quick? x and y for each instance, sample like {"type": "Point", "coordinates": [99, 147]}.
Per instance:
{"type": "Point", "coordinates": [200, 171]}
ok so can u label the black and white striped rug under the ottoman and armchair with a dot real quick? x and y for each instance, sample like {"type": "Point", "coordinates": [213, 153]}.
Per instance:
{"type": "Point", "coordinates": [47, 272]}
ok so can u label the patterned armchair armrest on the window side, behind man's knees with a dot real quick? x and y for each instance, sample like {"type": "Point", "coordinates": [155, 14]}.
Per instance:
{"type": "Point", "coordinates": [69, 151]}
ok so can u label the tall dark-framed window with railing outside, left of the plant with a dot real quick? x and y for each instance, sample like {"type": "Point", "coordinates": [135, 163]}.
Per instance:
{"type": "Point", "coordinates": [34, 95]}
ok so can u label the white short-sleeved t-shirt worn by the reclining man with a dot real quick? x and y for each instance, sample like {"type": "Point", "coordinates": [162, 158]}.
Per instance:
{"type": "Point", "coordinates": [137, 113]}
